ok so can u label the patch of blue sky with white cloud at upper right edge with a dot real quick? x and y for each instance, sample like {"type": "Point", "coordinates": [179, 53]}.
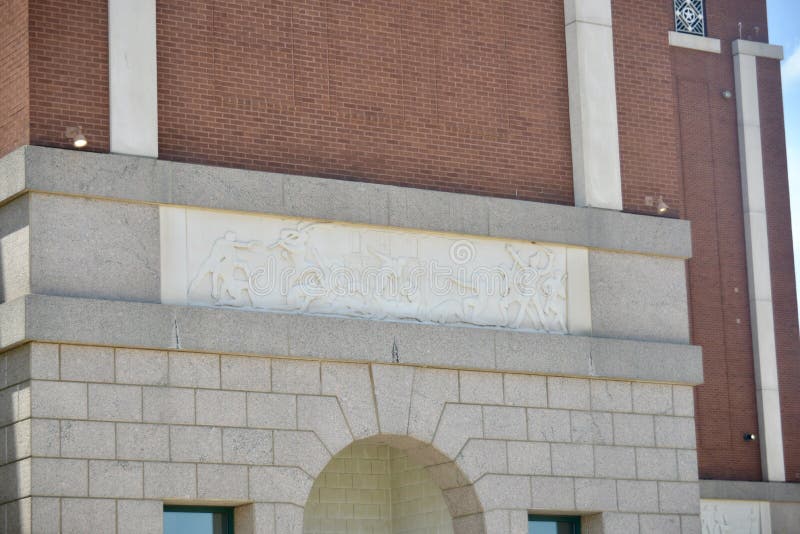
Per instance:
{"type": "Point", "coordinates": [784, 29]}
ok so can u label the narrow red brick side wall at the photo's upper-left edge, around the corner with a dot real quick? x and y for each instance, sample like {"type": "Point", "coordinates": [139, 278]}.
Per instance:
{"type": "Point", "coordinates": [13, 74]}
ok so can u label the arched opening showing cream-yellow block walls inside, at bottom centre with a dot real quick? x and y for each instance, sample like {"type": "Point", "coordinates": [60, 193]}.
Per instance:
{"type": "Point", "coordinates": [390, 485]}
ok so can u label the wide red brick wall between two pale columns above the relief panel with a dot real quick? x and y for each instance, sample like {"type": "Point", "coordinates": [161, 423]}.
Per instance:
{"type": "Point", "coordinates": [451, 95]}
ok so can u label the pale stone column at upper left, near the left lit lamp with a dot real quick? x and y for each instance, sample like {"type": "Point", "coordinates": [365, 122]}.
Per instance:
{"type": "Point", "coordinates": [132, 77]}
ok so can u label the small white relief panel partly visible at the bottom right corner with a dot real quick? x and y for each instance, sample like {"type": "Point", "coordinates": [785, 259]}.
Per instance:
{"type": "Point", "coordinates": [735, 517]}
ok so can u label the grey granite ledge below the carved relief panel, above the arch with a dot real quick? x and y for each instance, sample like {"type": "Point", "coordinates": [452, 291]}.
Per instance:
{"type": "Point", "coordinates": [216, 330]}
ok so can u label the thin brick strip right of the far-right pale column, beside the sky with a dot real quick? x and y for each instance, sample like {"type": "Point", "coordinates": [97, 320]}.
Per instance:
{"type": "Point", "coordinates": [779, 225]}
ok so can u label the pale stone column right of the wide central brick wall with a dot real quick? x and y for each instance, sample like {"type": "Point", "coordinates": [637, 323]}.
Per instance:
{"type": "Point", "coordinates": [593, 104]}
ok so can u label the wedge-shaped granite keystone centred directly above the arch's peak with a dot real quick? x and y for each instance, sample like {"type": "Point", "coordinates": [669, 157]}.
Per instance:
{"type": "Point", "coordinates": [393, 397]}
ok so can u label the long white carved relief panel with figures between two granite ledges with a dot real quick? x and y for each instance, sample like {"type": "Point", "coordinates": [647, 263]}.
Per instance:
{"type": "Point", "coordinates": [307, 266]}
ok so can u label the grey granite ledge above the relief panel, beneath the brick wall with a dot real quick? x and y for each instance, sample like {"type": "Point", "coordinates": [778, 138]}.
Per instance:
{"type": "Point", "coordinates": [139, 179]}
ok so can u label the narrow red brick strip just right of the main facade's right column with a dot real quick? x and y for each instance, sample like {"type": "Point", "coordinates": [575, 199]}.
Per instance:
{"type": "Point", "coordinates": [648, 125]}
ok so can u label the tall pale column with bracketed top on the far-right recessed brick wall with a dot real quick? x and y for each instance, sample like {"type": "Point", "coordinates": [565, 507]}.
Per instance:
{"type": "Point", "coordinates": [757, 245]}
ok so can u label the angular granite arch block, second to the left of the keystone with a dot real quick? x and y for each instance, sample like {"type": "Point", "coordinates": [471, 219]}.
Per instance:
{"type": "Point", "coordinates": [325, 418]}
